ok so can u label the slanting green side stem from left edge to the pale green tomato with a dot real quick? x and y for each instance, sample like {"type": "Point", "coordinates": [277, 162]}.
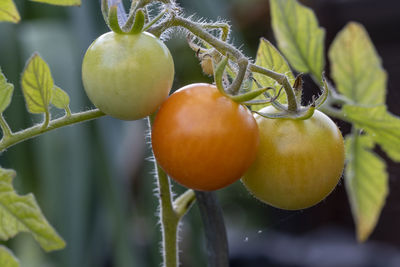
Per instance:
{"type": "Point", "coordinates": [15, 138]}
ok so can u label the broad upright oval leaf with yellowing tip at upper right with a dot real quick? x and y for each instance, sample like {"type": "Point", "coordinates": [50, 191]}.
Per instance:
{"type": "Point", "coordinates": [356, 66]}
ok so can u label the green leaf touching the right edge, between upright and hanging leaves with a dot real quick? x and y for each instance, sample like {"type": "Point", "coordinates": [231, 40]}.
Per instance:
{"type": "Point", "coordinates": [383, 127]}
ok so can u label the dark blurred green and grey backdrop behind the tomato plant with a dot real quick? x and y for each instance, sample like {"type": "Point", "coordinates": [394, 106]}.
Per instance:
{"type": "Point", "coordinates": [94, 181]}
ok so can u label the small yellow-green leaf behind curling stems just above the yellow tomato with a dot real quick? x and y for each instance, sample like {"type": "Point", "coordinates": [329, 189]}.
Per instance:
{"type": "Point", "coordinates": [269, 57]}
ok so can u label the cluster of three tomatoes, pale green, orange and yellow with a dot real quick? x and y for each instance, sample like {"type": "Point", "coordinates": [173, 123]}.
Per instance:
{"type": "Point", "coordinates": [202, 138]}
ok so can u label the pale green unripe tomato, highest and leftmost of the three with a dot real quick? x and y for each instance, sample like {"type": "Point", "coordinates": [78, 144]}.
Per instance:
{"type": "Point", "coordinates": [127, 76]}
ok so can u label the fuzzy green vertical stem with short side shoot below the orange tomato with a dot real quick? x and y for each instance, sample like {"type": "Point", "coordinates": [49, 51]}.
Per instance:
{"type": "Point", "coordinates": [170, 213]}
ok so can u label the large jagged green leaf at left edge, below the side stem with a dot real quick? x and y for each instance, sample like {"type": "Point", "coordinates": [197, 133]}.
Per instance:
{"type": "Point", "coordinates": [22, 214]}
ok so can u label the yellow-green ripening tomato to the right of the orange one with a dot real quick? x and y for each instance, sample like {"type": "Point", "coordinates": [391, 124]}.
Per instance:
{"type": "Point", "coordinates": [299, 162]}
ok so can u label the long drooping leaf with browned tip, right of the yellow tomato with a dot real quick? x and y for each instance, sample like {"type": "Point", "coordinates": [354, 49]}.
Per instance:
{"type": "Point", "coordinates": [366, 183]}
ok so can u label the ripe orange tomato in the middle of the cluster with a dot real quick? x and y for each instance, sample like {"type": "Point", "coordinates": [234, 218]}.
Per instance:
{"type": "Point", "coordinates": [202, 139]}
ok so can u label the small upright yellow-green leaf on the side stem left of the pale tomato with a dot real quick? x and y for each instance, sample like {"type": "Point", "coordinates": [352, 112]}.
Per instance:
{"type": "Point", "coordinates": [37, 85]}
